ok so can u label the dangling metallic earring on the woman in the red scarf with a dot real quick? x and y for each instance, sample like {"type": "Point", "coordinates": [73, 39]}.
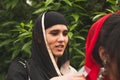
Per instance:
{"type": "Point", "coordinates": [102, 72]}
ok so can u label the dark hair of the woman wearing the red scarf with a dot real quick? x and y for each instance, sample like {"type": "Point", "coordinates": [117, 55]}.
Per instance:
{"type": "Point", "coordinates": [109, 38]}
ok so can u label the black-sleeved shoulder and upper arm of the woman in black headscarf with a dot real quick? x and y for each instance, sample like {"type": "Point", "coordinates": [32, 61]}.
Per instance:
{"type": "Point", "coordinates": [16, 71]}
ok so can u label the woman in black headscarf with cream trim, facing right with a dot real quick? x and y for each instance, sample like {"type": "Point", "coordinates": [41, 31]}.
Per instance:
{"type": "Point", "coordinates": [50, 57]}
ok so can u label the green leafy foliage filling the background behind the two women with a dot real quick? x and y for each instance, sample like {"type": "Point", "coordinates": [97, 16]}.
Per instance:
{"type": "Point", "coordinates": [17, 18]}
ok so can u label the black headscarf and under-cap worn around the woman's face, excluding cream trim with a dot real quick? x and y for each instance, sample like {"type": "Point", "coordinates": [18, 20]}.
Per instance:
{"type": "Point", "coordinates": [41, 66]}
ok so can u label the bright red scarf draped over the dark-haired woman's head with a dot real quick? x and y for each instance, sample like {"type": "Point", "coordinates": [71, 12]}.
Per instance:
{"type": "Point", "coordinates": [90, 43]}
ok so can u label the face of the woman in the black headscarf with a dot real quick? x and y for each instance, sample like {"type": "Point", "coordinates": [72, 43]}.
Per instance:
{"type": "Point", "coordinates": [57, 38]}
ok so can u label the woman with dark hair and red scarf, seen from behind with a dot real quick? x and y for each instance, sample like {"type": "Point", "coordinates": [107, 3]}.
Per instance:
{"type": "Point", "coordinates": [103, 48]}
